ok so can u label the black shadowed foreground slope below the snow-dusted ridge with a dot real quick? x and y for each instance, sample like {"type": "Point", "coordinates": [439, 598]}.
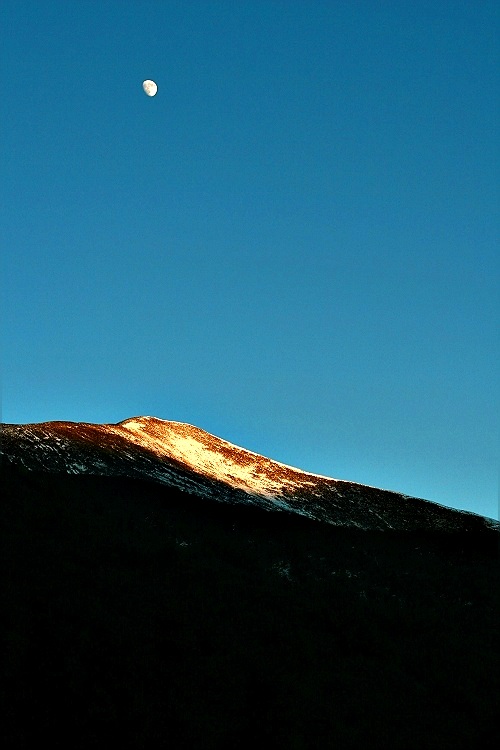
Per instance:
{"type": "Point", "coordinates": [138, 616]}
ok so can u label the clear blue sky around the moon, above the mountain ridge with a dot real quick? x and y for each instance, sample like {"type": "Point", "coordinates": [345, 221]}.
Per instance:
{"type": "Point", "coordinates": [294, 245]}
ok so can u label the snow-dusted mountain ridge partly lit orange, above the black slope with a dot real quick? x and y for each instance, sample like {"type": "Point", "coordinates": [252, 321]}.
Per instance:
{"type": "Point", "coordinates": [190, 459]}
